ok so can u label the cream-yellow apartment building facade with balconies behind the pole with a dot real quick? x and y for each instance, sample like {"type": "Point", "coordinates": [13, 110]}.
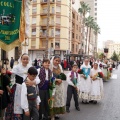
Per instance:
{"type": "Point", "coordinates": [60, 26]}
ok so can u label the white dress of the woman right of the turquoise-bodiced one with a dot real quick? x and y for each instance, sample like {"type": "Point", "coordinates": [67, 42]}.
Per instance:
{"type": "Point", "coordinates": [96, 86]}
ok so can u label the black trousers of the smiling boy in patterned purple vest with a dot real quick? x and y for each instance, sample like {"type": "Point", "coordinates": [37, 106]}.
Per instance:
{"type": "Point", "coordinates": [44, 108]}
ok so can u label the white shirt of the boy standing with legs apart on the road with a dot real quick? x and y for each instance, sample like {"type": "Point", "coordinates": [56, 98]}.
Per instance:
{"type": "Point", "coordinates": [70, 82]}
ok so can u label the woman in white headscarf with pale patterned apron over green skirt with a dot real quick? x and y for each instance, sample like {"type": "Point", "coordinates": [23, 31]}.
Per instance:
{"type": "Point", "coordinates": [59, 102]}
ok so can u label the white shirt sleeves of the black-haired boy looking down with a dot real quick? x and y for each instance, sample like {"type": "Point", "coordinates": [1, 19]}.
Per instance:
{"type": "Point", "coordinates": [24, 100]}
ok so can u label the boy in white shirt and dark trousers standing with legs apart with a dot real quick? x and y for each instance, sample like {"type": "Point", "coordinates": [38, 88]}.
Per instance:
{"type": "Point", "coordinates": [73, 80]}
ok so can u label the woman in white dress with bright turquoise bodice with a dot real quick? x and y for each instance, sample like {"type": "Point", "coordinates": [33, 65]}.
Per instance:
{"type": "Point", "coordinates": [85, 86]}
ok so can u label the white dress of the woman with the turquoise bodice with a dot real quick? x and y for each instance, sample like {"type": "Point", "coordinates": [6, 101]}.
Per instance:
{"type": "Point", "coordinates": [85, 85]}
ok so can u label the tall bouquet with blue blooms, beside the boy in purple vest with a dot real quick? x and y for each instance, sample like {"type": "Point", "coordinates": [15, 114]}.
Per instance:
{"type": "Point", "coordinates": [51, 88]}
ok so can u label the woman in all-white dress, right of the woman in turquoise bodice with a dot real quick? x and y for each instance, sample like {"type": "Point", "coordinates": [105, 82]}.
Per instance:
{"type": "Point", "coordinates": [97, 84]}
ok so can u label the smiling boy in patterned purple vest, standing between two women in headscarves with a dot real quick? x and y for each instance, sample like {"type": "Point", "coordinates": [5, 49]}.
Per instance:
{"type": "Point", "coordinates": [44, 76]}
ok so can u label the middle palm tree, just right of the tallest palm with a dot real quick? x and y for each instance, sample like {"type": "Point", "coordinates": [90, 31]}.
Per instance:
{"type": "Point", "coordinates": [89, 24]}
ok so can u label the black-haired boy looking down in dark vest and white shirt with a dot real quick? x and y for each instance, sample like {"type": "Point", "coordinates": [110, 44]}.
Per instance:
{"type": "Point", "coordinates": [30, 97]}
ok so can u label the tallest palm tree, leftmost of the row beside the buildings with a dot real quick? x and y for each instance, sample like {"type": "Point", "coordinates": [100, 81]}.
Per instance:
{"type": "Point", "coordinates": [83, 11]}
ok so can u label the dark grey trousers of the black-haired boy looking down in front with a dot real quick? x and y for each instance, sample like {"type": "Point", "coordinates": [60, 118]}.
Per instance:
{"type": "Point", "coordinates": [34, 114]}
